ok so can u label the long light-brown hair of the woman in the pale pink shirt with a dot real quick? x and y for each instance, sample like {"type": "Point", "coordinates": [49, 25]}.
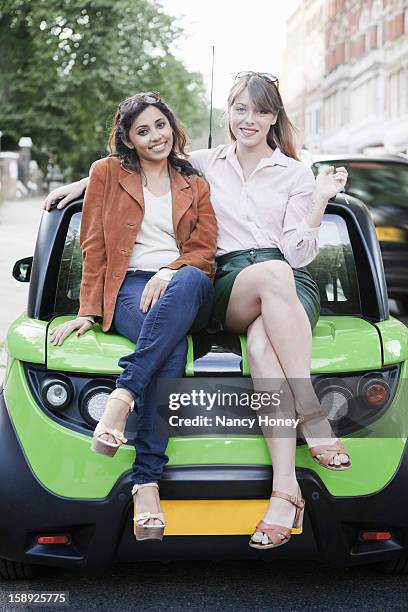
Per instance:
{"type": "Point", "coordinates": [265, 96]}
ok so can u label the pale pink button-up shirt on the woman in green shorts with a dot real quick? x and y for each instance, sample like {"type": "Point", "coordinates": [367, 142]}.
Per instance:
{"type": "Point", "coordinates": [266, 210]}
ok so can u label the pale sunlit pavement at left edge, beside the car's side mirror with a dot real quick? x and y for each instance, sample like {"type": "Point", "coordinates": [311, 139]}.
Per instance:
{"type": "Point", "coordinates": [19, 223]}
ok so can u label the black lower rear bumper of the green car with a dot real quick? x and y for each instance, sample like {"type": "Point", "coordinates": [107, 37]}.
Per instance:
{"type": "Point", "coordinates": [101, 531]}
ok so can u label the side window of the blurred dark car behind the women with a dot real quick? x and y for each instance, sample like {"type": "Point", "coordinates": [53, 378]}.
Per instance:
{"type": "Point", "coordinates": [374, 182]}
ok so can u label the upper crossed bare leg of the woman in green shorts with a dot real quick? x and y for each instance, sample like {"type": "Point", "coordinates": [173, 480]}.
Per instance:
{"type": "Point", "coordinates": [268, 289]}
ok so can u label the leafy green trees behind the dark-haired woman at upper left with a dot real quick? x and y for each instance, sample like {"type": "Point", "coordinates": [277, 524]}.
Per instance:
{"type": "Point", "coordinates": [66, 64]}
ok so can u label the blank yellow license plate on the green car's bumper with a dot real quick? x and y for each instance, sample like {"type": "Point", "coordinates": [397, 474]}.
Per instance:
{"type": "Point", "coordinates": [214, 516]}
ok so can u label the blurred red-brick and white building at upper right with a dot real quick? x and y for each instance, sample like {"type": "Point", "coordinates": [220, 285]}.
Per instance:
{"type": "Point", "coordinates": [358, 96]}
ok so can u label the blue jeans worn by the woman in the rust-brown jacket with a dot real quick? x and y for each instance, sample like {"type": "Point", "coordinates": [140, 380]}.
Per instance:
{"type": "Point", "coordinates": [161, 337]}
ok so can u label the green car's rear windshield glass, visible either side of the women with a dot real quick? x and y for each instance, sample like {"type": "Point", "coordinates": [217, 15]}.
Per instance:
{"type": "Point", "coordinates": [333, 269]}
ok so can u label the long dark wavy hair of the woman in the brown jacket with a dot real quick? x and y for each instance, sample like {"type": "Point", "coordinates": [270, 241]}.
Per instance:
{"type": "Point", "coordinates": [127, 112]}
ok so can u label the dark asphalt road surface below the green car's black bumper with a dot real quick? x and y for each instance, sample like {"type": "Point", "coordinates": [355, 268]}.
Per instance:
{"type": "Point", "coordinates": [229, 585]}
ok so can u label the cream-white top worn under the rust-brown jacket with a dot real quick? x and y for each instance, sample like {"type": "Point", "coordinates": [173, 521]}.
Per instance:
{"type": "Point", "coordinates": [155, 244]}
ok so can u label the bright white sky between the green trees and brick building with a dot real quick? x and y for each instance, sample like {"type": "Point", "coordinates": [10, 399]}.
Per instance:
{"type": "Point", "coordinates": [247, 35]}
